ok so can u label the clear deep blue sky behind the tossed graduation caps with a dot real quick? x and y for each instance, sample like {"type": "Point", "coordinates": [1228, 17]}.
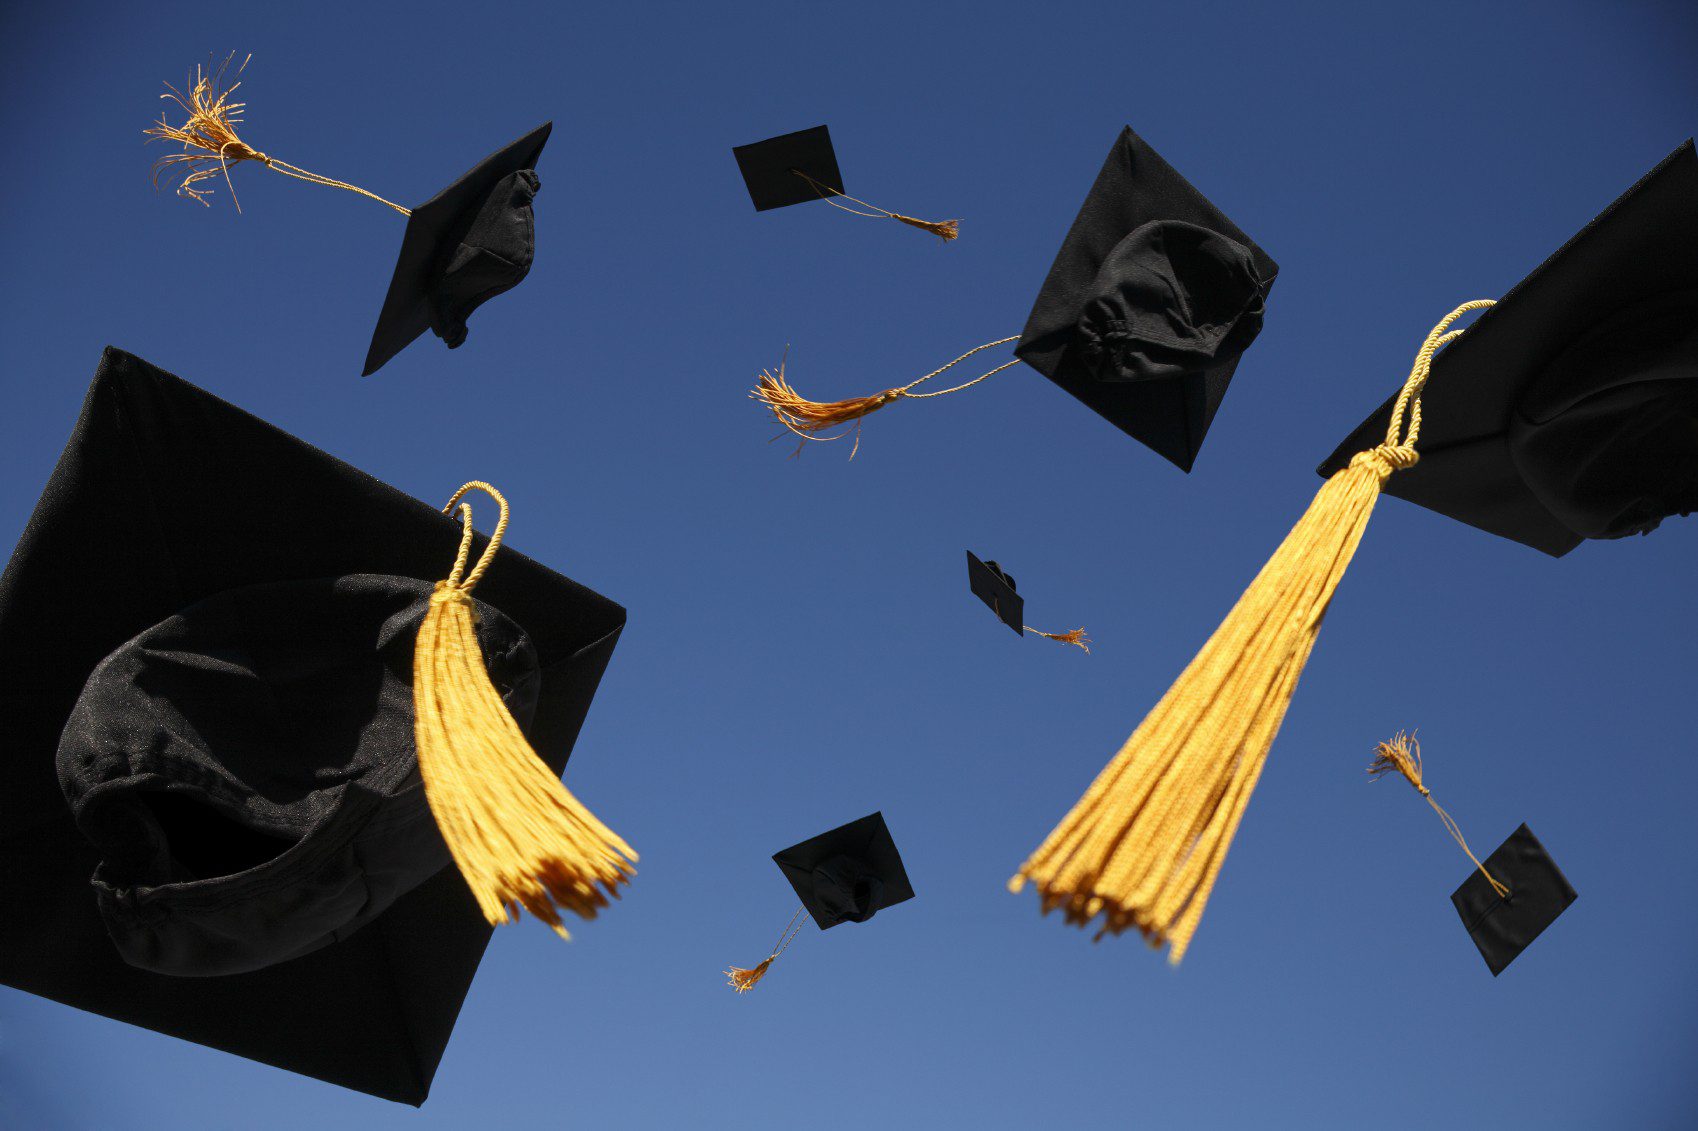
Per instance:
{"type": "Point", "coordinates": [802, 646]}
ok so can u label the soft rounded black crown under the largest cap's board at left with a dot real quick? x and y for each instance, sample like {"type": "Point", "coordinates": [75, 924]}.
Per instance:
{"type": "Point", "coordinates": [249, 774]}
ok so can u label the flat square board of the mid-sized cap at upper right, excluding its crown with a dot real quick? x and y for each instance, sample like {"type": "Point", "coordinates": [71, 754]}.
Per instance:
{"type": "Point", "coordinates": [1135, 188]}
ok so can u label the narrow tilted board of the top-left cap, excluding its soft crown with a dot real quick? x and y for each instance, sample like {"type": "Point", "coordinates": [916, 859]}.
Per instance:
{"type": "Point", "coordinates": [434, 228]}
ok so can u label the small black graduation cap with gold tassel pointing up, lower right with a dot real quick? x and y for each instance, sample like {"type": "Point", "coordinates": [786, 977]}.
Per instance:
{"type": "Point", "coordinates": [1510, 899]}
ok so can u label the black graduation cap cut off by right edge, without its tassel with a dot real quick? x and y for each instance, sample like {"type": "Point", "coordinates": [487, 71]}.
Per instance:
{"type": "Point", "coordinates": [1570, 410]}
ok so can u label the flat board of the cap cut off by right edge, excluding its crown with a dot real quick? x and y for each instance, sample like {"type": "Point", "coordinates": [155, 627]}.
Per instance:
{"type": "Point", "coordinates": [1641, 247]}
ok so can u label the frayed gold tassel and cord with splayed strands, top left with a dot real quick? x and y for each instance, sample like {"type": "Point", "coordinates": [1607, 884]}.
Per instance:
{"type": "Point", "coordinates": [211, 143]}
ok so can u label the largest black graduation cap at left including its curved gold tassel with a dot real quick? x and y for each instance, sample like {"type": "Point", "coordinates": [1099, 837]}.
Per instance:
{"type": "Point", "coordinates": [247, 734]}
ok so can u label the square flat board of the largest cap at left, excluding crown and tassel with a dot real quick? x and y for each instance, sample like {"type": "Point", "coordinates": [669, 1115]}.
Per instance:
{"type": "Point", "coordinates": [164, 498]}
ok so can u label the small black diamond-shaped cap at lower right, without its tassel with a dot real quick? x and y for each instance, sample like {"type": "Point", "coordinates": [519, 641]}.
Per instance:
{"type": "Point", "coordinates": [1539, 892]}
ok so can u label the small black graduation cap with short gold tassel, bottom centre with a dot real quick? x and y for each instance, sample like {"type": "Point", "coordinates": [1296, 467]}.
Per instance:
{"type": "Point", "coordinates": [845, 875]}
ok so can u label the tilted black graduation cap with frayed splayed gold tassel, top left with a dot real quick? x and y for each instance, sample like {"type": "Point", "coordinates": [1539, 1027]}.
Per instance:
{"type": "Point", "coordinates": [466, 245]}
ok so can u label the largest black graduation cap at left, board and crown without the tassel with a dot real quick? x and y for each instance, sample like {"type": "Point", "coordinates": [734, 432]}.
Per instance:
{"type": "Point", "coordinates": [172, 527]}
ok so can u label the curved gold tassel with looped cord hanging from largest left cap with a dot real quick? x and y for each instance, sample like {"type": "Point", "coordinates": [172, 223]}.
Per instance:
{"type": "Point", "coordinates": [517, 835]}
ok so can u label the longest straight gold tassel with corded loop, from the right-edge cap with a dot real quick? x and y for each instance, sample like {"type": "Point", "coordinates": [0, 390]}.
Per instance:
{"type": "Point", "coordinates": [1145, 843]}
